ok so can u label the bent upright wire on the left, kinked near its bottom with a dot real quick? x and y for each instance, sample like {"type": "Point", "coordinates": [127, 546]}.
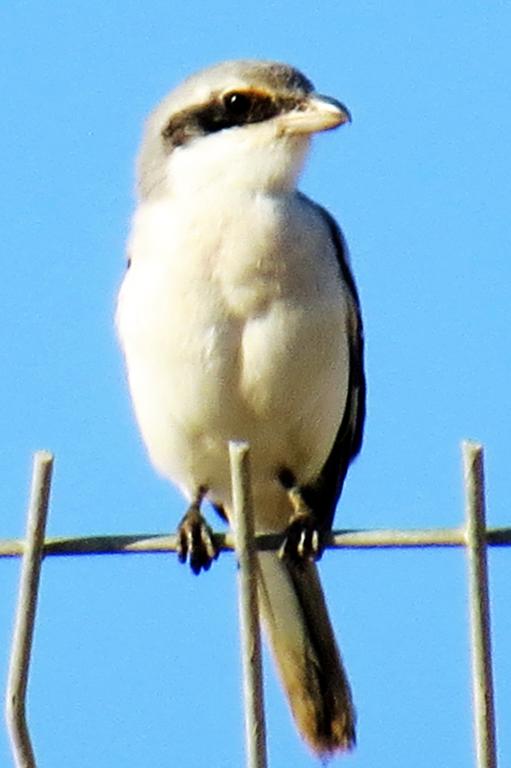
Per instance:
{"type": "Point", "coordinates": [17, 678]}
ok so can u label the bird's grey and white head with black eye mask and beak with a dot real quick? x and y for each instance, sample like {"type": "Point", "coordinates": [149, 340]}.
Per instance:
{"type": "Point", "coordinates": [240, 123]}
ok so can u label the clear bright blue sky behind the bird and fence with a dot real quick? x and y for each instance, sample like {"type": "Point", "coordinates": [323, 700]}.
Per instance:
{"type": "Point", "coordinates": [136, 662]}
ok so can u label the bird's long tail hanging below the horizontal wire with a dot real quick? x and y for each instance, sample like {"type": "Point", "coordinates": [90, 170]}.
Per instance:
{"type": "Point", "coordinates": [296, 620]}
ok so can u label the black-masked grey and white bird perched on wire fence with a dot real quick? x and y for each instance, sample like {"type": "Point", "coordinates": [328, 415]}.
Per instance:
{"type": "Point", "coordinates": [239, 319]}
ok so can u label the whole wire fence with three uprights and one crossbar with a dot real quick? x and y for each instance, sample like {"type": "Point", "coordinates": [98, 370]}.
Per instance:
{"type": "Point", "coordinates": [474, 536]}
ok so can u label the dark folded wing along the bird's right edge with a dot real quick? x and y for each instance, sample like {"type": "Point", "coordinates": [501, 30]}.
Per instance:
{"type": "Point", "coordinates": [322, 495]}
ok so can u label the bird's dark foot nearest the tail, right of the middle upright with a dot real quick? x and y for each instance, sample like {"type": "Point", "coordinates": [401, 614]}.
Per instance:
{"type": "Point", "coordinates": [303, 539]}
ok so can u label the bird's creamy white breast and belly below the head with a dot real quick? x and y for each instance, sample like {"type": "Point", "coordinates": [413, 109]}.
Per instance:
{"type": "Point", "coordinates": [235, 332]}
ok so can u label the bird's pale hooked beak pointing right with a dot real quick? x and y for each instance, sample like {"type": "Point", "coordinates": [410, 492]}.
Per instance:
{"type": "Point", "coordinates": [316, 113]}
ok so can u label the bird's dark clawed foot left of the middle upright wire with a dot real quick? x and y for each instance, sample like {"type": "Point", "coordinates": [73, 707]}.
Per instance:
{"type": "Point", "coordinates": [195, 540]}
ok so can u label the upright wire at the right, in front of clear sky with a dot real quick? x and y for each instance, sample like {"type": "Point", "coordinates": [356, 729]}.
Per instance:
{"type": "Point", "coordinates": [482, 678]}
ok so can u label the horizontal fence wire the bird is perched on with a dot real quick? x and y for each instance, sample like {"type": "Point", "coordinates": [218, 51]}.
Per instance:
{"type": "Point", "coordinates": [144, 543]}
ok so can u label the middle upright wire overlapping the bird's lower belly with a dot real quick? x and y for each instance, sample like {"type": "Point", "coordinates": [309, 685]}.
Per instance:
{"type": "Point", "coordinates": [255, 732]}
